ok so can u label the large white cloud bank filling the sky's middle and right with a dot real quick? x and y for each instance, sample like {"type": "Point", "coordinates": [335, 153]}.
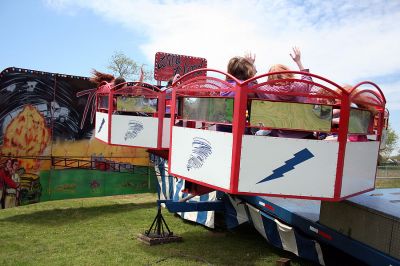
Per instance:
{"type": "Point", "coordinates": [345, 41]}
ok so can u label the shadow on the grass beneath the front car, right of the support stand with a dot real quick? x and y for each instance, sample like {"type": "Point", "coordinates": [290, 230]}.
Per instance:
{"type": "Point", "coordinates": [243, 246]}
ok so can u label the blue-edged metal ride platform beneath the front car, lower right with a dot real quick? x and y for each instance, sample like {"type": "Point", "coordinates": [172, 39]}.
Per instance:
{"type": "Point", "coordinates": [307, 216]}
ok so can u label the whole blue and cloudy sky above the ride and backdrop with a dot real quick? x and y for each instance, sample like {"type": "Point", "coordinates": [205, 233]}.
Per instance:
{"type": "Point", "coordinates": [346, 41]}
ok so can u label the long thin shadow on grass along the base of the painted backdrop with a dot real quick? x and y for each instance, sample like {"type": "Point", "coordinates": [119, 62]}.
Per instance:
{"type": "Point", "coordinates": [59, 216]}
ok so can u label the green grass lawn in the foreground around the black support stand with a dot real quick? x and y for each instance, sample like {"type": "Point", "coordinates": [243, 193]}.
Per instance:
{"type": "Point", "coordinates": [102, 231]}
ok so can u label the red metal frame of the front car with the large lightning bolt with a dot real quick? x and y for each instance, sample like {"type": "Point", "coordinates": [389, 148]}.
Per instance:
{"type": "Point", "coordinates": [190, 84]}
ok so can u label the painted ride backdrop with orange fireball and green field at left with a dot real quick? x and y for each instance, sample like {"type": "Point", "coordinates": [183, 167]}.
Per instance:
{"type": "Point", "coordinates": [47, 123]}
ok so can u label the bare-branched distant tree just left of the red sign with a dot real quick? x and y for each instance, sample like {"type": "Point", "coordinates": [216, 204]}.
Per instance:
{"type": "Point", "coordinates": [123, 66]}
